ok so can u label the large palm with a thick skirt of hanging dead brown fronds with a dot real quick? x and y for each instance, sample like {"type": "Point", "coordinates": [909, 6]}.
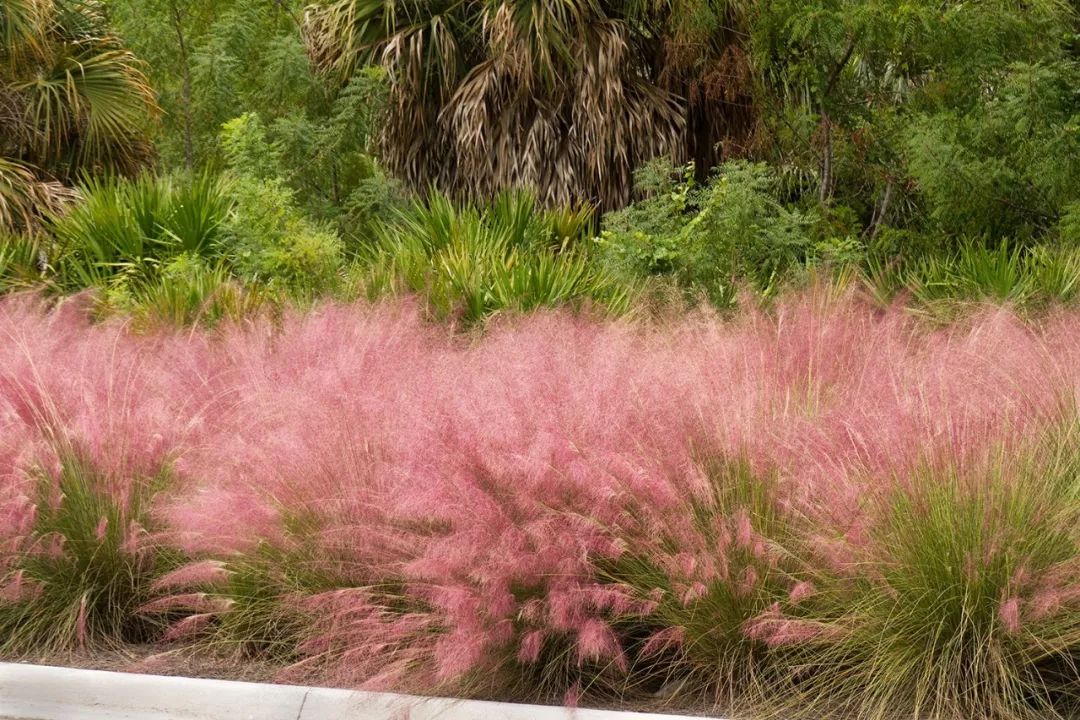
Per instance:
{"type": "Point", "coordinates": [566, 98]}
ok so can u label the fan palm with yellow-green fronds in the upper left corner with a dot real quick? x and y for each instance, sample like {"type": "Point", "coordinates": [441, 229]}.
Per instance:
{"type": "Point", "coordinates": [72, 101]}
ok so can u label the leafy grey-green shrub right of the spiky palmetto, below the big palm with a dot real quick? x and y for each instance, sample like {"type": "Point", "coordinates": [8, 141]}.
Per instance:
{"type": "Point", "coordinates": [711, 237]}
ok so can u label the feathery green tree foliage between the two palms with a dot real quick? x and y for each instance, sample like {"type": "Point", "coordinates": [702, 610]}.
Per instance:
{"type": "Point", "coordinates": [215, 61]}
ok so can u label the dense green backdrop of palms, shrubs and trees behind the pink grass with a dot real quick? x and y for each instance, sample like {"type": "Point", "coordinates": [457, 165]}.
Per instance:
{"type": "Point", "coordinates": [279, 151]}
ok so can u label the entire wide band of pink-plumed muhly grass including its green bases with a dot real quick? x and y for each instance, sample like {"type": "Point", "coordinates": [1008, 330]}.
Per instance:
{"type": "Point", "coordinates": [825, 508]}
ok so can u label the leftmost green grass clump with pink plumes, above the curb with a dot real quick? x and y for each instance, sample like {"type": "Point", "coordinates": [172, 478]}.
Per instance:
{"type": "Point", "coordinates": [88, 565]}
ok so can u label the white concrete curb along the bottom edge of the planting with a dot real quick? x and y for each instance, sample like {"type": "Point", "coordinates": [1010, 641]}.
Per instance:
{"type": "Point", "coordinates": [34, 692]}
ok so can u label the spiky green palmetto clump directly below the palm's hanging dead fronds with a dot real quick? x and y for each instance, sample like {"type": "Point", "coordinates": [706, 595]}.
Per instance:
{"type": "Point", "coordinates": [472, 264]}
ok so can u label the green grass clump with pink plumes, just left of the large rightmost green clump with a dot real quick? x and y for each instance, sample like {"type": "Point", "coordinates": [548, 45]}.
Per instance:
{"type": "Point", "coordinates": [732, 593]}
